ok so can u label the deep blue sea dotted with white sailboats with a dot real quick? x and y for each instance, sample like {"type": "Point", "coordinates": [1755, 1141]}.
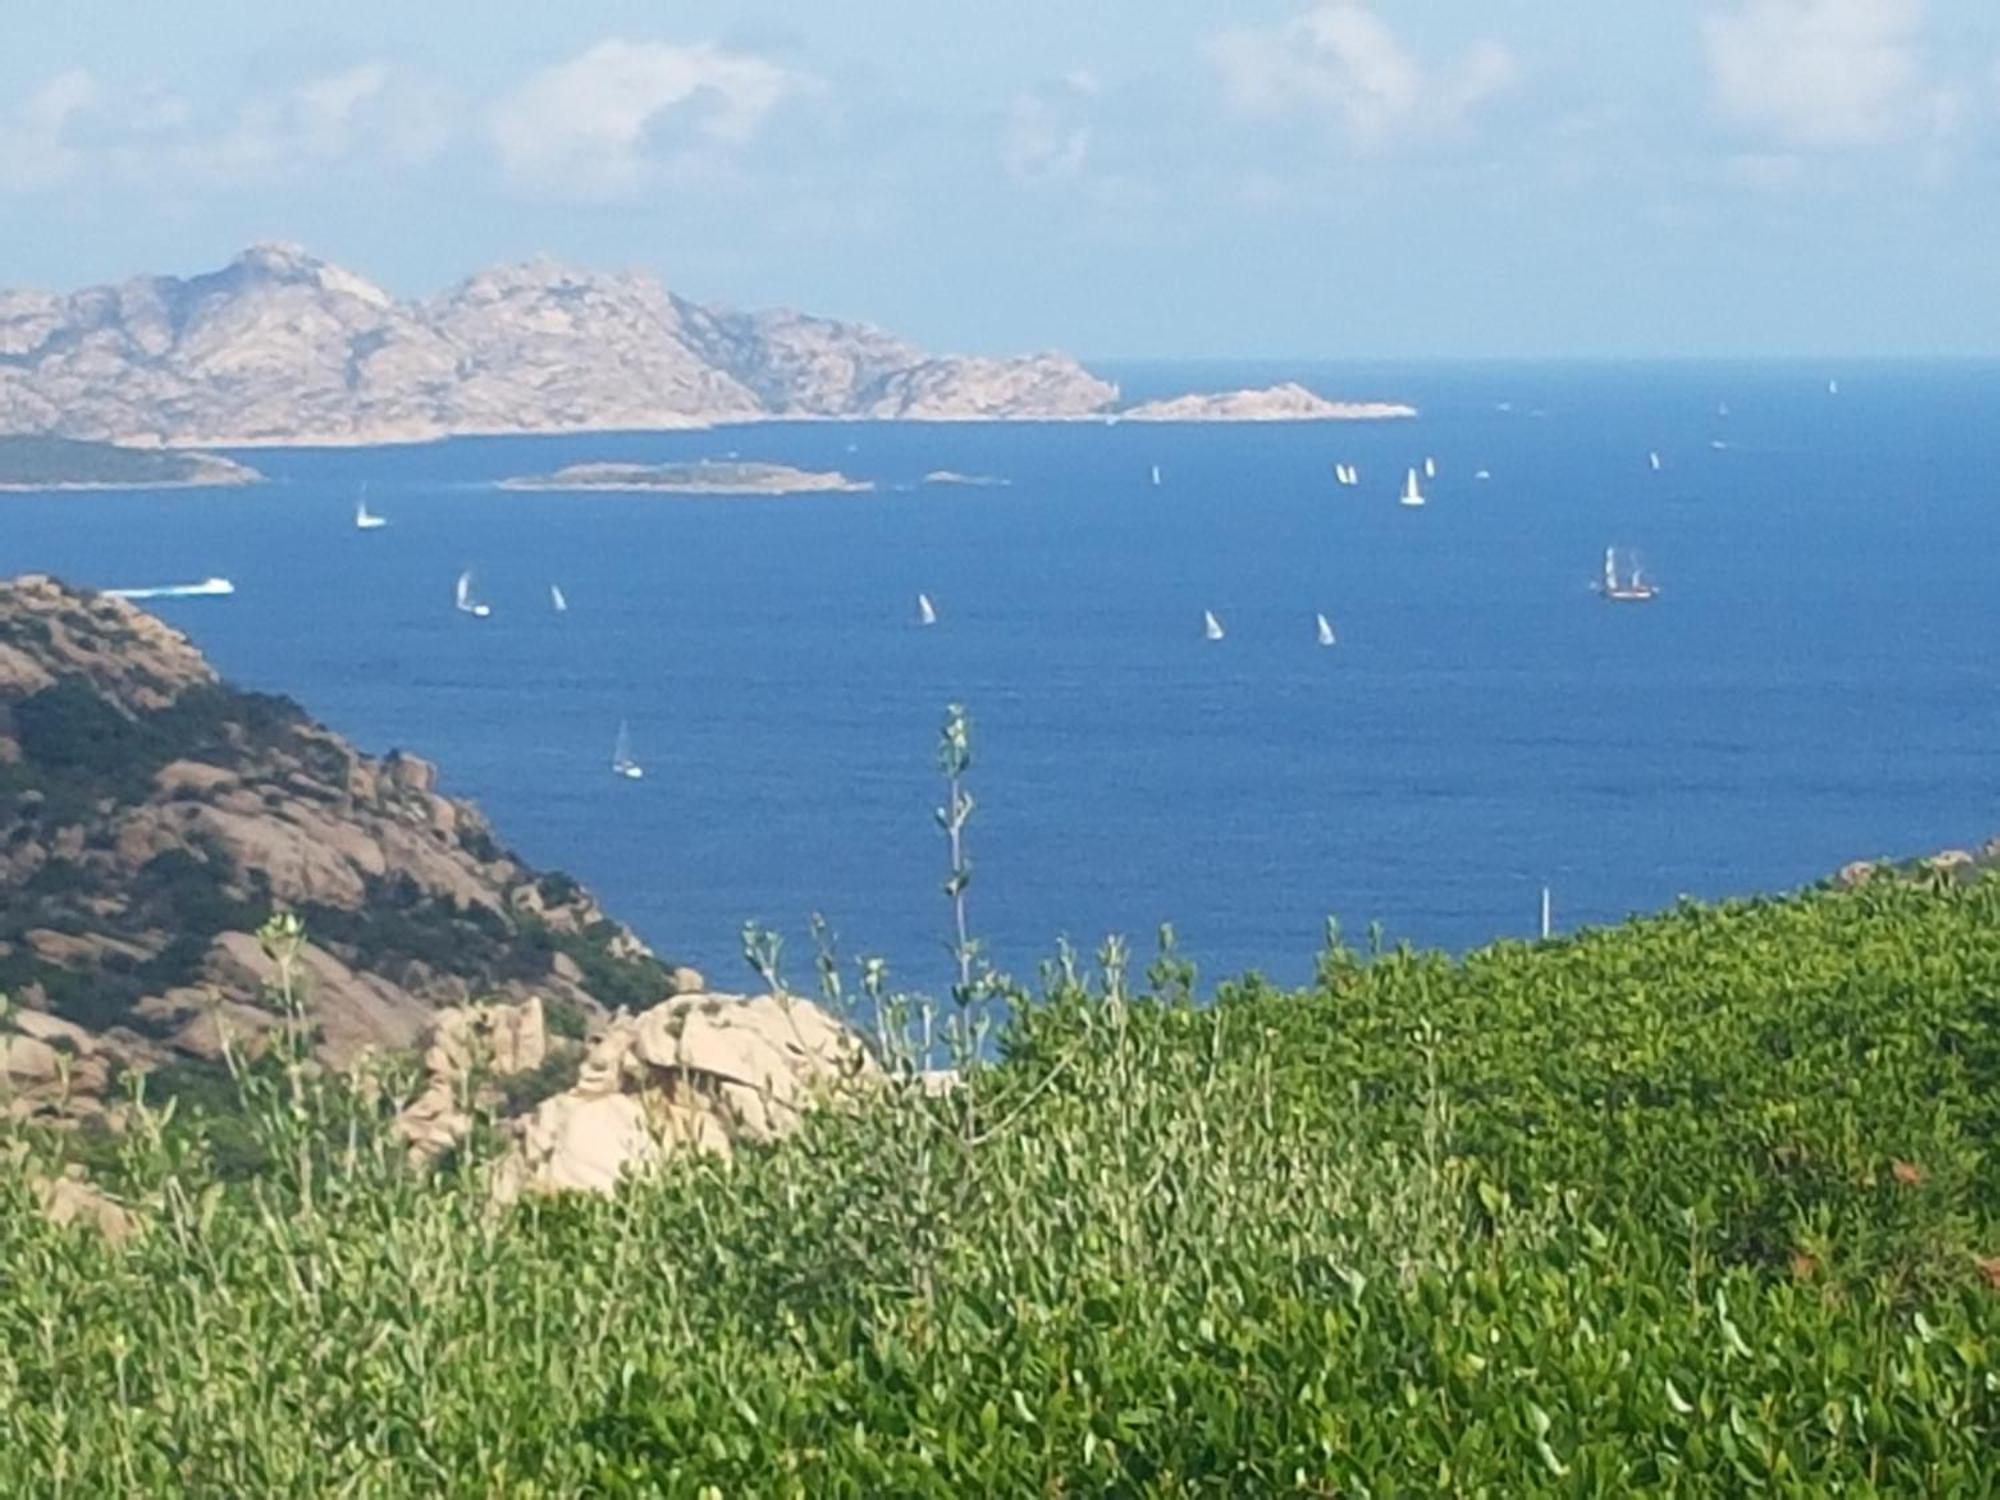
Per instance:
{"type": "Point", "coordinates": [1817, 681]}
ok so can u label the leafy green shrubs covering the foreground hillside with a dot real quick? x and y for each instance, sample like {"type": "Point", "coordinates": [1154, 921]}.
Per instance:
{"type": "Point", "coordinates": [1701, 1205]}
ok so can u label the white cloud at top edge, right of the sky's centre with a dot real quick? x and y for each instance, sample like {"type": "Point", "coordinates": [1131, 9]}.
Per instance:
{"type": "Point", "coordinates": [1345, 63]}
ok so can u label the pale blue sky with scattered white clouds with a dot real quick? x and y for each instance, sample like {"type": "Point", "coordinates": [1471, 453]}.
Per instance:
{"type": "Point", "coordinates": [1121, 179]}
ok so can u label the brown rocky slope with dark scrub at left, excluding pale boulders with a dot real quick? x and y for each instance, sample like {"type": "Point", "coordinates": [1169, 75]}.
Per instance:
{"type": "Point", "coordinates": [153, 819]}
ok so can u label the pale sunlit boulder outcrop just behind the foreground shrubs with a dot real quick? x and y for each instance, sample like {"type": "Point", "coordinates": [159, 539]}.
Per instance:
{"type": "Point", "coordinates": [699, 1073]}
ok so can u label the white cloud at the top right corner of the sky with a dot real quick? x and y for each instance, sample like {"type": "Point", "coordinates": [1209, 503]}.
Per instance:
{"type": "Point", "coordinates": [1821, 73]}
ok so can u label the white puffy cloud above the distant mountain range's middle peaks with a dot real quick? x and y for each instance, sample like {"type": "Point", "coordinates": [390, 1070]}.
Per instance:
{"type": "Point", "coordinates": [609, 121]}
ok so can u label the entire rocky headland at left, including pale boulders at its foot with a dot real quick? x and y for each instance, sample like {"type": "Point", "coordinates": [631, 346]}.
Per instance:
{"type": "Point", "coordinates": [153, 821]}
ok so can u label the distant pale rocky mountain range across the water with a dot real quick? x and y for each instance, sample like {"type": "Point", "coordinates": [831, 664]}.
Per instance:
{"type": "Point", "coordinates": [281, 347]}
